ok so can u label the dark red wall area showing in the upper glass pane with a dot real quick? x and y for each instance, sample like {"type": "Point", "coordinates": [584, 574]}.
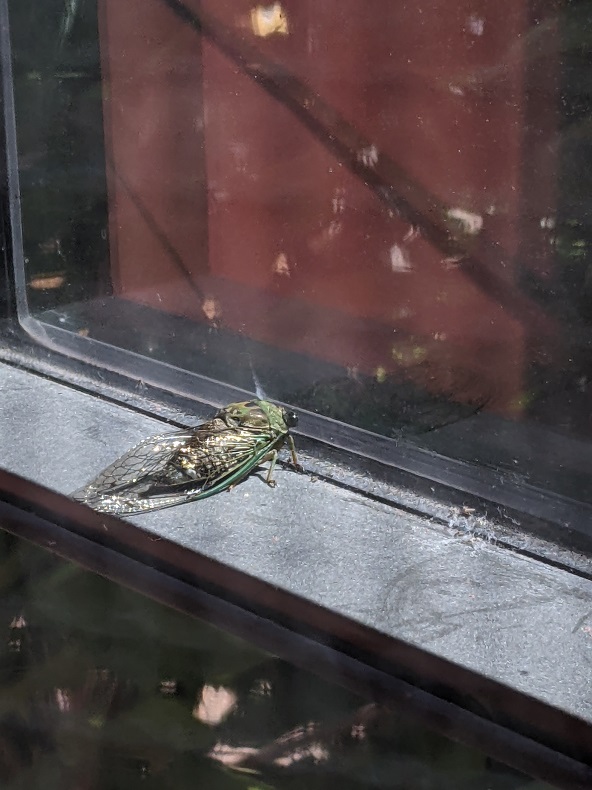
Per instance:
{"type": "Point", "coordinates": [224, 207]}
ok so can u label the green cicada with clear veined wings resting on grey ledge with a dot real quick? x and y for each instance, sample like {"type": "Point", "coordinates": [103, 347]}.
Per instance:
{"type": "Point", "coordinates": [179, 467]}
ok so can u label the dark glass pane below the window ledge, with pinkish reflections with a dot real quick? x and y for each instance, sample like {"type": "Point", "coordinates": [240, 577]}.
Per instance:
{"type": "Point", "coordinates": [102, 688]}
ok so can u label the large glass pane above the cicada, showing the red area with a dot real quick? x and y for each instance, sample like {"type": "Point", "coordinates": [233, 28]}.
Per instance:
{"type": "Point", "coordinates": [378, 214]}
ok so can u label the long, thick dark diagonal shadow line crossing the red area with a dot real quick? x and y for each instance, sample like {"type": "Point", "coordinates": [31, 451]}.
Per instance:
{"type": "Point", "coordinates": [389, 182]}
